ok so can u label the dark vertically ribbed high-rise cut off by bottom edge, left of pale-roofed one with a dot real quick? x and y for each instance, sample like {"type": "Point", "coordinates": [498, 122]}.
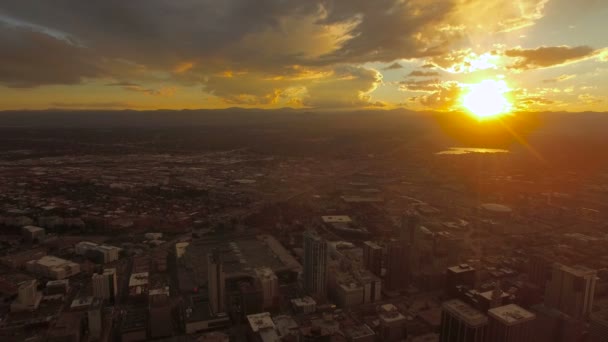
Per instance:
{"type": "Point", "coordinates": [462, 323]}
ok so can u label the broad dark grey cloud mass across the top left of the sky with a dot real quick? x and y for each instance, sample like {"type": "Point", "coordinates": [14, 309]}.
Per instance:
{"type": "Point", "coordinates": [155, 31]}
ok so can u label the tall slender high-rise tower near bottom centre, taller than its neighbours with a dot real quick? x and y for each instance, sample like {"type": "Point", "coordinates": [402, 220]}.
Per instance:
{"type": "Point", "coordinates": [315, 264]}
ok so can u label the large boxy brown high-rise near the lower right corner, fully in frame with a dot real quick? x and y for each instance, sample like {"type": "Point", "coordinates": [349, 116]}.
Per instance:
{"type": "Point", "coordinates": [571, 290]}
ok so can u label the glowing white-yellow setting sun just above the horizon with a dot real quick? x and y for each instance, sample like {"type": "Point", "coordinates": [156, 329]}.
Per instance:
{"type": "Point", "coordinates": [487, 99]}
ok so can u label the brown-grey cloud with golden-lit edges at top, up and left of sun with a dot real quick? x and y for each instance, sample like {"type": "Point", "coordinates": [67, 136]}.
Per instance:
{"type": "Point", "coordinates": [389, 29]}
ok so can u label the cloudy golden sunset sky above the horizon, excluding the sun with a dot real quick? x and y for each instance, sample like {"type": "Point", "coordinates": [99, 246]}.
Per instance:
{"type": "Point", "coordinates": [317, 54]}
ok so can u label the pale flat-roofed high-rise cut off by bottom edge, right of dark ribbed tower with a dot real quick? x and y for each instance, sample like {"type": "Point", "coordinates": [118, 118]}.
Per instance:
{"type": "Point", "coordinates": [510, 323]}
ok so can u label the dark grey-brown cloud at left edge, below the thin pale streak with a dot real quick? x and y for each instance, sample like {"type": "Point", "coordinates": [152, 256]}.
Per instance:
{"type": "Point", "coordinates": [29, 58]}
